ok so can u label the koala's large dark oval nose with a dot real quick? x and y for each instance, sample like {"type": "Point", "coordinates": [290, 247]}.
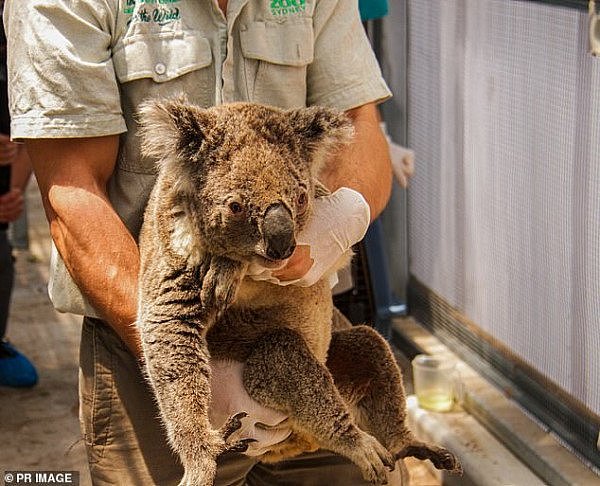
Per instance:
{"type": "Point", "coordinates": [278, 232]}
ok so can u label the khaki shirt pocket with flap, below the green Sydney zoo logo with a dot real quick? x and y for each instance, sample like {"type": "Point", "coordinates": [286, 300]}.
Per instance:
{"type": "Point", "coordinates": [276, 56]}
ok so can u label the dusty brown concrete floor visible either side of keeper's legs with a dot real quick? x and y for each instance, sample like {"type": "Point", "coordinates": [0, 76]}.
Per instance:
{"type": "Point", "coordinates": [39, 429]}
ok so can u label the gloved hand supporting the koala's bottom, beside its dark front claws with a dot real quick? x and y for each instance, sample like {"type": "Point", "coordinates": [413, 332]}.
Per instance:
{"type": "Point", "coordinates": [229, 397]}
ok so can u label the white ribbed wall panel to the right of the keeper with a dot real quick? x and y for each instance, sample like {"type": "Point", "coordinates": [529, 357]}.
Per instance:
{"type": "Point", "coordinates": [504, 210]}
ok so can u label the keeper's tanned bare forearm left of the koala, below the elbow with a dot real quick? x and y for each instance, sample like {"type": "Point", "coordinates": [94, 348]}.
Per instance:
{"type": "Point", "coordinates": [100, 255]}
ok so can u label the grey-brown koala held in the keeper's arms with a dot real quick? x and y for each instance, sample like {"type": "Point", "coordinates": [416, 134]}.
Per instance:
{"type": "Point", "coordinates": [235, 186]}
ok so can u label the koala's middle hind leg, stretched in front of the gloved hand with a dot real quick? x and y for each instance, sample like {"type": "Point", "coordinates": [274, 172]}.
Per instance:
{"type": "Point", "coordinates": [283, 374]}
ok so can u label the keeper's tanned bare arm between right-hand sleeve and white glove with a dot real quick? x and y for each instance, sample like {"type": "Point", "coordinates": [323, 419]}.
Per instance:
{"type": "Point", "coordinates": [365, 165]}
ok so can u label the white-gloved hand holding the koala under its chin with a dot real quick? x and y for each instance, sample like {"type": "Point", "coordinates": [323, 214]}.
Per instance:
{"type": "Point", "coordinates": [339, 221]}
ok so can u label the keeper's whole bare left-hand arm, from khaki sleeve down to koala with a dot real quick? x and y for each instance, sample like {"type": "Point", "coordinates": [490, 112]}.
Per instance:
{"type": "Point", "coordinates": [98, 250]}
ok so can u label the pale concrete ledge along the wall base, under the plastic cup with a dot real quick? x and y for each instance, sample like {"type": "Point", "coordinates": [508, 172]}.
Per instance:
{"type": "Point", "coordinates": [497, 441]}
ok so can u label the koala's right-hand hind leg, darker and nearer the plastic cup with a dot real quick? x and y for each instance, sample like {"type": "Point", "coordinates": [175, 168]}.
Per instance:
{"type": "Point", "coordinates": [369, 379]}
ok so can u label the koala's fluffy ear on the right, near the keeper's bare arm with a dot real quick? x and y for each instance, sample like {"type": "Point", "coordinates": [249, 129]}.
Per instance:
{"type": "Point", "coordinates": [321, 131]}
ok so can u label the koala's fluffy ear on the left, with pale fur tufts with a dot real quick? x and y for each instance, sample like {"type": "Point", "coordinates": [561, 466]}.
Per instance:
{"type": "Point", "coordinates": [172, 128]}
